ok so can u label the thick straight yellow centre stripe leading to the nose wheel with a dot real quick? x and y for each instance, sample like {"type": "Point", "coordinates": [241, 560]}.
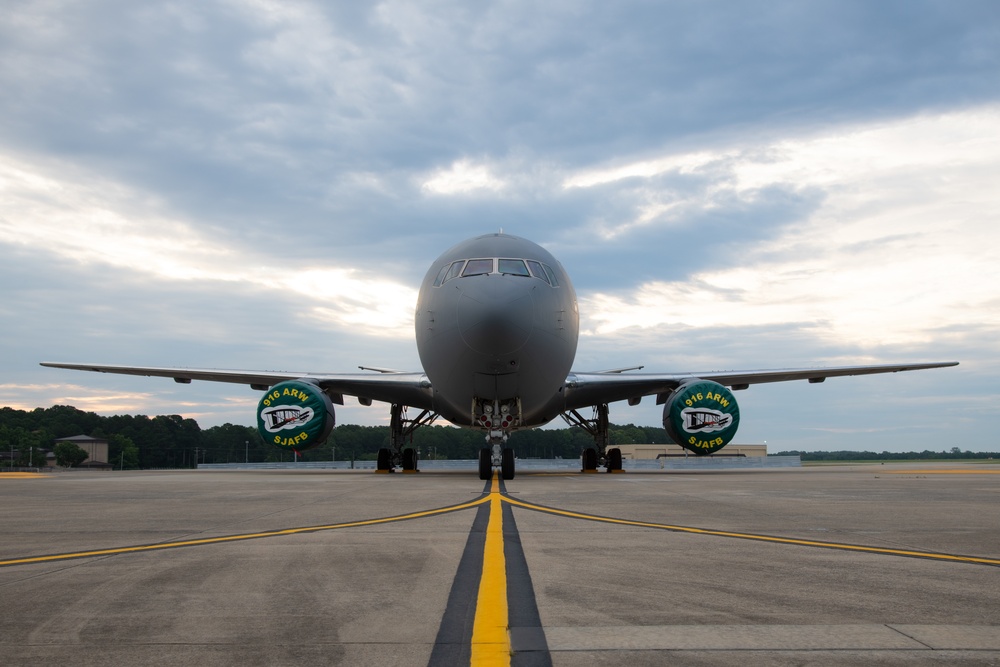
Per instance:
{"type": "Point", "coordinates": [490, 639]}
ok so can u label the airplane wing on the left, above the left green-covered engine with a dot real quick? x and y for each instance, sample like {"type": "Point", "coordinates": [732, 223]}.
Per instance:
{"type": "Point", "coordinates": [412, 389]}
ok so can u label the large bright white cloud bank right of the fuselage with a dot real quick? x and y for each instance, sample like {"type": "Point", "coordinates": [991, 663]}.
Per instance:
{"type": "Point", "coordinates": [903, 205]}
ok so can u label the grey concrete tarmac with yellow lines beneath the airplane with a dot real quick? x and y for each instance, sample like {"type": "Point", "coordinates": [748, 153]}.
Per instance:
{"type": "Point", "coordinates": [887, 564]}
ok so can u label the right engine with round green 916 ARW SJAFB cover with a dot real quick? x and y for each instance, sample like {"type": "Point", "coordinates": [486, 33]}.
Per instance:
{"type": "Point", "coordinates": [701, 416]}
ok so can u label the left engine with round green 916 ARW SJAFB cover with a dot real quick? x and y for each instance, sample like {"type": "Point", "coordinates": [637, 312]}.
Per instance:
{"type": "Point", "coordinates": [295, 415]}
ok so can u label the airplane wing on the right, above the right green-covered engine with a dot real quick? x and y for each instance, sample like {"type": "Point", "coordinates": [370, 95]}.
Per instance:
{"type": "Point", "coordinates": [587, 389]}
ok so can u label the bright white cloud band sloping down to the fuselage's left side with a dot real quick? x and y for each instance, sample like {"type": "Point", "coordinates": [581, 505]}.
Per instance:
{"type": "Point", "coordinates": [91, 221]}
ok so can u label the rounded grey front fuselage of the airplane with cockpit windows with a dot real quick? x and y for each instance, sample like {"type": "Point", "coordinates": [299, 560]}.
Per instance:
{"type": "Point", "coordinates": [497, 326]}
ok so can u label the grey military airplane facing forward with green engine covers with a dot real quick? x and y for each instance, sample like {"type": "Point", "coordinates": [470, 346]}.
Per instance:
{"type": "Point", "coordinates": [497, 325]}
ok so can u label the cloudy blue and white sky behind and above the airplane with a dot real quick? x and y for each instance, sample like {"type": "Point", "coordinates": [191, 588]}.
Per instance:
{"type": "Point", "coordinates": [731, 185]}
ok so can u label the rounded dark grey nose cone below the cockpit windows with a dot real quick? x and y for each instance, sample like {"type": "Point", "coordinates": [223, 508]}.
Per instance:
{"type": "Point", "coordinates": [496, 314]}
